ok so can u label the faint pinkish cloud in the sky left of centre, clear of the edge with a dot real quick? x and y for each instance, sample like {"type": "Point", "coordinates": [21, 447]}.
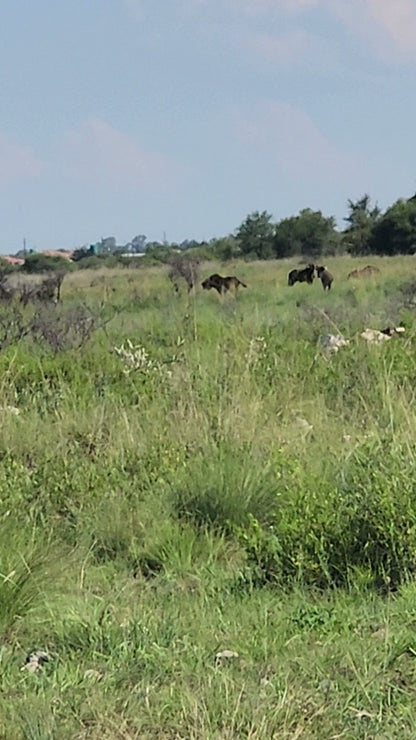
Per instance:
{"type": "Point", "coordinates": [96, 151]}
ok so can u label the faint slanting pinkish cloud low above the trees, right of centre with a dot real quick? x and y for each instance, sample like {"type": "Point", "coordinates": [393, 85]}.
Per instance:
{"type": "Point", "coordinates": [293, 144]}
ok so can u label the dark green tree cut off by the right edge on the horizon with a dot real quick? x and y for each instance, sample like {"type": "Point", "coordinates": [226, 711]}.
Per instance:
{"type": "Point", "coordinates": [395, 232]}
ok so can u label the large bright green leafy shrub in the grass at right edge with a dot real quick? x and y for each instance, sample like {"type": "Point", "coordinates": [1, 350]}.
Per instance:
{"type": "Point", "coordinates": [365, 523]}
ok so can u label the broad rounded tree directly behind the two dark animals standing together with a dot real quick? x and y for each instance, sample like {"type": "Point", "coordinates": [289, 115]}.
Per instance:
{"type": "Point", "coordinates": [310, 234]}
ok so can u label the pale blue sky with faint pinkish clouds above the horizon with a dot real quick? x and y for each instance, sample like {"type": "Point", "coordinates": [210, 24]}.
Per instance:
{"type": "Point", "coordinates": [178, 118]}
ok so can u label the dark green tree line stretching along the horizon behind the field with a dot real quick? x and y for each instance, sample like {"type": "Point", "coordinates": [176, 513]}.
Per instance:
{"type": "Point", "coordinates": [310, 234]}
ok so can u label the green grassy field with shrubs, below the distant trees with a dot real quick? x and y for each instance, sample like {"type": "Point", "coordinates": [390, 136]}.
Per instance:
{"type": "Point", "coordinates": [186, 475]}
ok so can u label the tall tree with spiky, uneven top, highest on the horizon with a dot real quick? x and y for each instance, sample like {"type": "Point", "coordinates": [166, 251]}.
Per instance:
{"type": "Point", "coordinates": [361, 220]}
